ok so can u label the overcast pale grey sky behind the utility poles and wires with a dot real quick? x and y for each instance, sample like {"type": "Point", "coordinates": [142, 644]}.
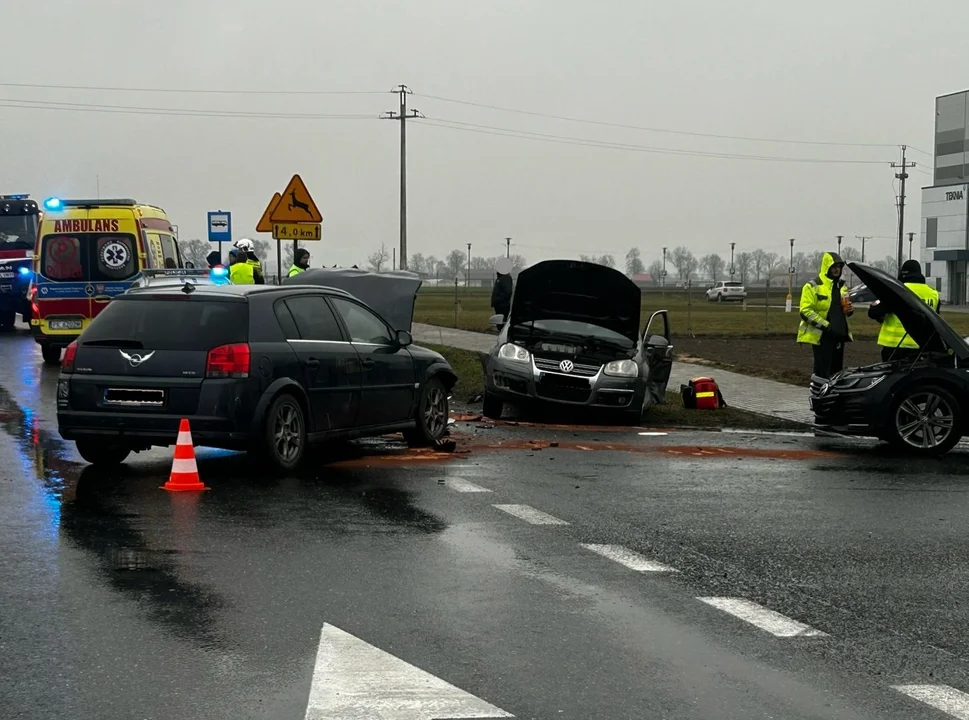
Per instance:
{"type": "Point", "coordinates": [851, 71]}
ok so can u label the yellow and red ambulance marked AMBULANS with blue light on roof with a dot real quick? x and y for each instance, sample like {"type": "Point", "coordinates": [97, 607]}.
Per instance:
{"type": "Point", "coordinates": [88, 252]}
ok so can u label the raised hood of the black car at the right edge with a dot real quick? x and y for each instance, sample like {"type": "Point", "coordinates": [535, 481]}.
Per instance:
{"type": "Point", "coordinates": [923, 324]}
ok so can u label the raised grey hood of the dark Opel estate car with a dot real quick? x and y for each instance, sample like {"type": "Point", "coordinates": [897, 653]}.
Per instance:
{"type": "Point", "coordinates": [391, 294]}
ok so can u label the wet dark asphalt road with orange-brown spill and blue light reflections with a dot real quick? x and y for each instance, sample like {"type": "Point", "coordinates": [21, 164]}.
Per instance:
{"type": "Point", "coordinates": [119, 600]}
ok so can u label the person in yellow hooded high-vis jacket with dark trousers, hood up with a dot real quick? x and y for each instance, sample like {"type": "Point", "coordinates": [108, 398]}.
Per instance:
{"type": "Point", "coordinates": [825, 309]}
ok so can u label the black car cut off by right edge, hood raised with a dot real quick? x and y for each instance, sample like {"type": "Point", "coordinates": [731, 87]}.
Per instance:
{"type": "Point", "coordinates": [919, 404]}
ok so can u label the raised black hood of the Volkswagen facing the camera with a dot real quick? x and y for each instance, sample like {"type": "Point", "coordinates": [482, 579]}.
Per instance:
{"type": "Point", "coordinates": [574, 290]}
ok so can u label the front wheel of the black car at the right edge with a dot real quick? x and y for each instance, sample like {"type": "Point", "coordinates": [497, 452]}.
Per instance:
{"type": "Point", "coordinates": [926, 420]}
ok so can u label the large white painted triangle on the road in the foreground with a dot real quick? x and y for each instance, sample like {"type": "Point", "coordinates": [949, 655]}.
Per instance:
{"type": "Point", "coordinates": [354, 679]}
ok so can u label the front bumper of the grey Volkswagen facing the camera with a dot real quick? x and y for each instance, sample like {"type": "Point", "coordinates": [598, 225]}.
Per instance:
{"type": "Point", "coordinates": [519, 382]}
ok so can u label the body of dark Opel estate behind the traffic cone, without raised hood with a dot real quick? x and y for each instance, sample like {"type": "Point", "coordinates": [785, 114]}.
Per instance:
{"type": "Point", "coordinates": [252, 367]}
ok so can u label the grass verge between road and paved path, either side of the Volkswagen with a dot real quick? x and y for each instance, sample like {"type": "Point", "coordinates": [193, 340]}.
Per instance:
{"type": "Point", "coordinates": [471, 383]}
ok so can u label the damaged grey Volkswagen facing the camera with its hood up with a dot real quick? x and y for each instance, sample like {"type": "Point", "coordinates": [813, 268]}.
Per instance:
{"type": "Point", "coordinates": [572, 337]}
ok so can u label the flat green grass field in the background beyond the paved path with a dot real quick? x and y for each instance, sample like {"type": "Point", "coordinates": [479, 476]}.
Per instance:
{"type": "Point", "coordinates": [688, 317]}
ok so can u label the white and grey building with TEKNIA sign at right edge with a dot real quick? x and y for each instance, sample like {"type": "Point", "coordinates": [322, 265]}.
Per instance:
{"type": "Point", "coordinates": [945, 204]}
